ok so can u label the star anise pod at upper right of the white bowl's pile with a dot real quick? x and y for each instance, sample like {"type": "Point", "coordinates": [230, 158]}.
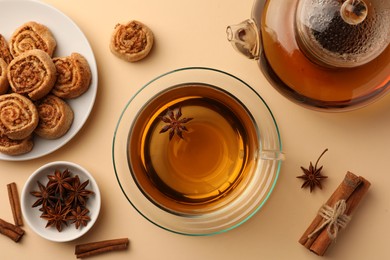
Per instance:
{"type": "Point", "coordinates": [77, 194]}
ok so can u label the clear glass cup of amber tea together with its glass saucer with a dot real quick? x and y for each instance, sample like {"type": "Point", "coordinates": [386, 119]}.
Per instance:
{"type": "Point", "coordinates": [197, 151]}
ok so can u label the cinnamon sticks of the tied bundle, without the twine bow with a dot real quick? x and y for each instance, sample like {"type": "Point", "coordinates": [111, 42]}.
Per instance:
{"type": "Point", "coordinates": [353, 188]}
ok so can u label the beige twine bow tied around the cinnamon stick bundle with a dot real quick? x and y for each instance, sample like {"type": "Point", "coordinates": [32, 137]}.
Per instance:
{"type": "Point", "coordinates": [334, 219]}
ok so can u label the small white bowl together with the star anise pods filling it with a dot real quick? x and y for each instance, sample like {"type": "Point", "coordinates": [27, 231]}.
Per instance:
{"type": "Point", "coordinates": [60, 201]}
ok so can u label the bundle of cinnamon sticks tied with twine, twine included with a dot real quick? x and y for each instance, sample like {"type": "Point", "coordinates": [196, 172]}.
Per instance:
{"type": "Point", "coordinates": [334, 214]}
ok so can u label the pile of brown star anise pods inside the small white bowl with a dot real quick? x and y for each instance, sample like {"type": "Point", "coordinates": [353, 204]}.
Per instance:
{"type": "Point", "coordinates": [63, 199]}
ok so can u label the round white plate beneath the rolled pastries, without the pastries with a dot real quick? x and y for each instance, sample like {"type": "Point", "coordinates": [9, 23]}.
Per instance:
{"type": "Point", "coordinates": [14, 13]}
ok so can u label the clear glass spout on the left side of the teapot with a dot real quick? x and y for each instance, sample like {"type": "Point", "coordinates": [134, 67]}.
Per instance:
{"type": "Point", "coordinates": [244, 38]}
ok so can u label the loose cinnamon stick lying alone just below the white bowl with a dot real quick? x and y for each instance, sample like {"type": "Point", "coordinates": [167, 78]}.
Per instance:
{"type": "Point", "coordinates": [95, 248]}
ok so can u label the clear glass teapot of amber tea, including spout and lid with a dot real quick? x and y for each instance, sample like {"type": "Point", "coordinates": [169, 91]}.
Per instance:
{"type": "Point", "coordinates": [328, 55]}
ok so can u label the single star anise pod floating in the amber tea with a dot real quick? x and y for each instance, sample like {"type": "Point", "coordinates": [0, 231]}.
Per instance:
{"type": "Point", "coordinates": [175, 124]}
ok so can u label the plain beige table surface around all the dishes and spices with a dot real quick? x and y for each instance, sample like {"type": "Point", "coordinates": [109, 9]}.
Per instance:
{"type": "Point", "coordinates": [192, 33]}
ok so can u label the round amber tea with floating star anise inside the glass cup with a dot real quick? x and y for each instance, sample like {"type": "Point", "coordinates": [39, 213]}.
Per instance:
{"type": "Point", "coordinates": [193, 148]}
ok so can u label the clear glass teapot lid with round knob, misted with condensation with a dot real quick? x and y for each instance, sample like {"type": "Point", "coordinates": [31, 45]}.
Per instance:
{"type": "Point", "coordinates": [343, 33]}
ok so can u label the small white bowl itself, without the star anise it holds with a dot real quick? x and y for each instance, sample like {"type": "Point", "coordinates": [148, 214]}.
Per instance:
{"type": "Point", "coordinates": [32, 215]}
